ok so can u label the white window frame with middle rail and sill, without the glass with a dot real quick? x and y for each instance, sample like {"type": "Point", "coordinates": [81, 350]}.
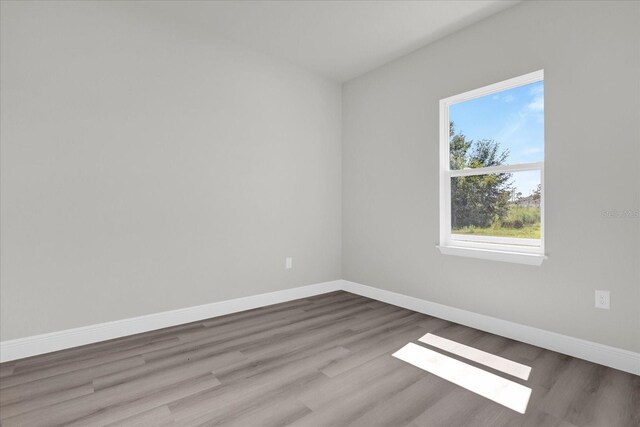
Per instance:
{"type": "Point", "coordinates": [523, 251]}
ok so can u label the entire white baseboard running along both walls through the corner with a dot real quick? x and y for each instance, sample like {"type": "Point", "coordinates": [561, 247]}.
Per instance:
{"type": "Point", "coordinates": [613, 357]}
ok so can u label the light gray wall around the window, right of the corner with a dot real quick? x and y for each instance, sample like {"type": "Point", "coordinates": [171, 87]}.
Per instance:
{"type": "Point", "coordinates": [591, 56]}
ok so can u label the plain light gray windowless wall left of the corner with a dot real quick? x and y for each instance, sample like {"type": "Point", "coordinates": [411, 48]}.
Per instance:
{"type": "Point", "coordinates": [152, 168]}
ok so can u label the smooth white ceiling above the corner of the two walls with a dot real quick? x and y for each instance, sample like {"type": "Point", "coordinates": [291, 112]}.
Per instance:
{"type": "Point", "coordinates": [337, 39]}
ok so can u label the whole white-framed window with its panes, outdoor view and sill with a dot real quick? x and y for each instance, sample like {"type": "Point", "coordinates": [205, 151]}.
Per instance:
{"type": "Point", "coordinates": [492, 171]}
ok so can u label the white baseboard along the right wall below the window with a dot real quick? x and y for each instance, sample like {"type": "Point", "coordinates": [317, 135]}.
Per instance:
{"type": "Point", "coordinates": [613, 357]}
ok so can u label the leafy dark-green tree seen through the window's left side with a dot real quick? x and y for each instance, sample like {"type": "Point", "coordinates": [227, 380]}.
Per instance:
{"type": "Point", "coordinates": [480, 200]}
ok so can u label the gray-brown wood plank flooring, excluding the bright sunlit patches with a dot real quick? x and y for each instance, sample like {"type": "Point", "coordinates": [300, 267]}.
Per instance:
{"type": "Point", "coordinates": [319, 361]}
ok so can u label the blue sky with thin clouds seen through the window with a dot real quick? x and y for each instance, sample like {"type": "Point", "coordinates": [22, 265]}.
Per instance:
{"type": "Point", "coordinates": [515, 119]}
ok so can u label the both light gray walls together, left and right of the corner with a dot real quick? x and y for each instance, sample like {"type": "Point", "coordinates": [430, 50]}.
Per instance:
{"type": "Point", "coordinates": [148, 167]}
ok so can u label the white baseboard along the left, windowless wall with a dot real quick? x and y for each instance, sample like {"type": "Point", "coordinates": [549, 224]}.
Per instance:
{"type": "Point", "coordinates": [54, 341]}
